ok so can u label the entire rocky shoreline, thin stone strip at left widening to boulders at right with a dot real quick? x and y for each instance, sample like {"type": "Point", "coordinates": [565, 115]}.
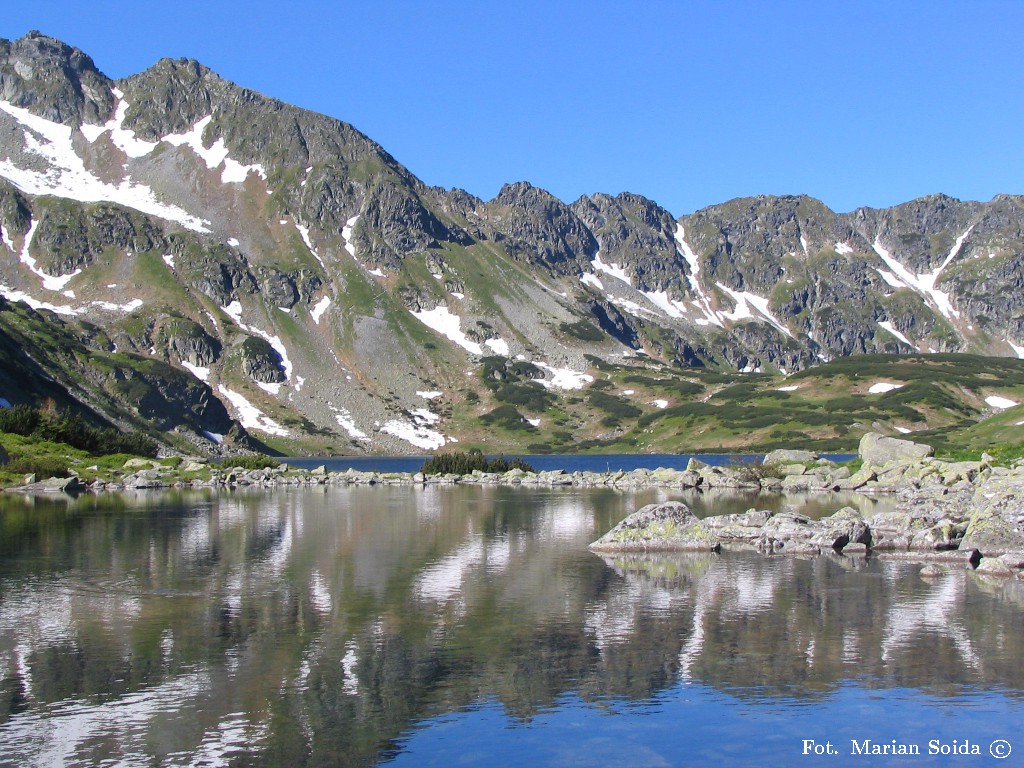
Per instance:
{"type": "Point", "coordinates": [971, 513]}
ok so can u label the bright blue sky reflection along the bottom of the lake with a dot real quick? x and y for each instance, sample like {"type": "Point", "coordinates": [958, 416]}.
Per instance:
{"type": "Point", "coordinates": [692, 724]}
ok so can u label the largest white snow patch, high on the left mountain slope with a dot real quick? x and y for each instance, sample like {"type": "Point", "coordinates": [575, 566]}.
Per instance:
{"type": "Point", "coordinates": [68, 178]}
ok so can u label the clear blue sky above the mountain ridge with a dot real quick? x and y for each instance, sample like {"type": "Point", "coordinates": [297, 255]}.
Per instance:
{"type": "Point", "coordinates": [861, 103]}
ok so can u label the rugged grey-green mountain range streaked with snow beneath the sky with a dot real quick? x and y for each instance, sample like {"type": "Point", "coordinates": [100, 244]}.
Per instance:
{"type": "Point", "coordinates": [326, 298]}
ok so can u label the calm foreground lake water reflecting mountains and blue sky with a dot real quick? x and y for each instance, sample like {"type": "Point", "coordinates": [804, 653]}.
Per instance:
{"type": "Point", "coordinates": [472, 626]}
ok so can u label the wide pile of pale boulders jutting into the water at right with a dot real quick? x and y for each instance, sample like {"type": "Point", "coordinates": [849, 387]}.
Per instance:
{"type": "Point", "coordinates": [970, 514]}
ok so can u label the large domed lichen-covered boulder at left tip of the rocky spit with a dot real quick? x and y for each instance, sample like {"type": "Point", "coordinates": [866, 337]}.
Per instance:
{"type": "Point", "coordinates": [667, 527]}
